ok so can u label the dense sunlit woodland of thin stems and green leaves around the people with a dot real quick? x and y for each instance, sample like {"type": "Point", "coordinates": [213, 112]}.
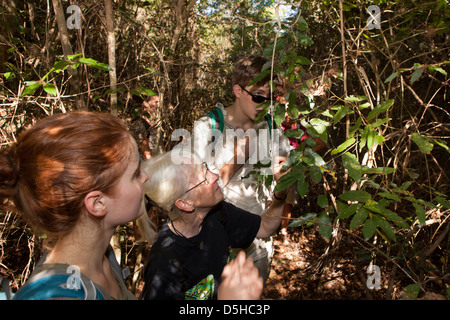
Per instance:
{"type": "Point", "coordinates": [377, 196]}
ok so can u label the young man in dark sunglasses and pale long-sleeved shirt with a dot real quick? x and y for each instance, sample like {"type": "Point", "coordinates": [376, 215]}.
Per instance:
{"type": "Point", "coordinates": [225, 158]}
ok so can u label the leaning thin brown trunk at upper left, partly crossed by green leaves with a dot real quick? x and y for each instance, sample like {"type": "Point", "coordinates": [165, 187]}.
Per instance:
{"type": "Point", "coordinates": [67, 50]}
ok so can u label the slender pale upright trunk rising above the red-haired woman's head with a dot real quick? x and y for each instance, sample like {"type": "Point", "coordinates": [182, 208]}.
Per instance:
{"type": "Point", "coordinates": [111, 54]}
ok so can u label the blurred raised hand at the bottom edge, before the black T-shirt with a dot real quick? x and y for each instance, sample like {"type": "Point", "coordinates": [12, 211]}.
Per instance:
{"type": "Point", "coordinates": [240, 280]}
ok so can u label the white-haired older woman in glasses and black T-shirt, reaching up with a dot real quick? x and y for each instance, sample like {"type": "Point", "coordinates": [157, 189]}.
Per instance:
{"type": "Point", "coordinates": [194, 244]}
